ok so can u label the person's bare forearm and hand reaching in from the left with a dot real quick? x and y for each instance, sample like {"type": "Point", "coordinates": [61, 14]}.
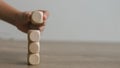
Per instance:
{"type": "Point", "coordinates": [19, 18]}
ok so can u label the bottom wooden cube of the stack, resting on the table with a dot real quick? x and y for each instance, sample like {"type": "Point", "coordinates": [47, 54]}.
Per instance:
{"type": "Point", "coordinates": [33, 59]}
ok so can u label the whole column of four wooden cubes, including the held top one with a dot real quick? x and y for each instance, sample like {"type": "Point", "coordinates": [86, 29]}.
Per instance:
{"type": "Point", "coordinates": [34, 39]}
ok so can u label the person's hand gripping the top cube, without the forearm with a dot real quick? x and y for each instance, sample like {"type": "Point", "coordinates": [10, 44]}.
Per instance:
{"type": "Point", "coordinates": [24, 20]}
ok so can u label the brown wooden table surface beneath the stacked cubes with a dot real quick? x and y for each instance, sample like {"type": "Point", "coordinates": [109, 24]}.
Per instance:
{"type": "Point", "coordinates": [13, 54]}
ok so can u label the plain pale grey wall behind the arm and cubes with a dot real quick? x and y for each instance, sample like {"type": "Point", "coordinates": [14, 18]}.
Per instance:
{"type": "Point", "coordinates": [72, 20]}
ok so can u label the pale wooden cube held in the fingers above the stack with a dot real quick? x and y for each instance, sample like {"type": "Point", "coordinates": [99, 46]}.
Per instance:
{"type": "Point", "coordinates": [37, 17]}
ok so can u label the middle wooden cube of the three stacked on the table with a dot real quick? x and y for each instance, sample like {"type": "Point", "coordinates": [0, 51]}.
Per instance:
{"type": "Point", "coordinates": [34, 47]}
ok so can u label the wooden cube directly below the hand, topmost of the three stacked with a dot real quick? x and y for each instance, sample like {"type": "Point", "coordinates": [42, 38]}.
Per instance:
{"type": "Point", "coordinates": [34, 35]}
